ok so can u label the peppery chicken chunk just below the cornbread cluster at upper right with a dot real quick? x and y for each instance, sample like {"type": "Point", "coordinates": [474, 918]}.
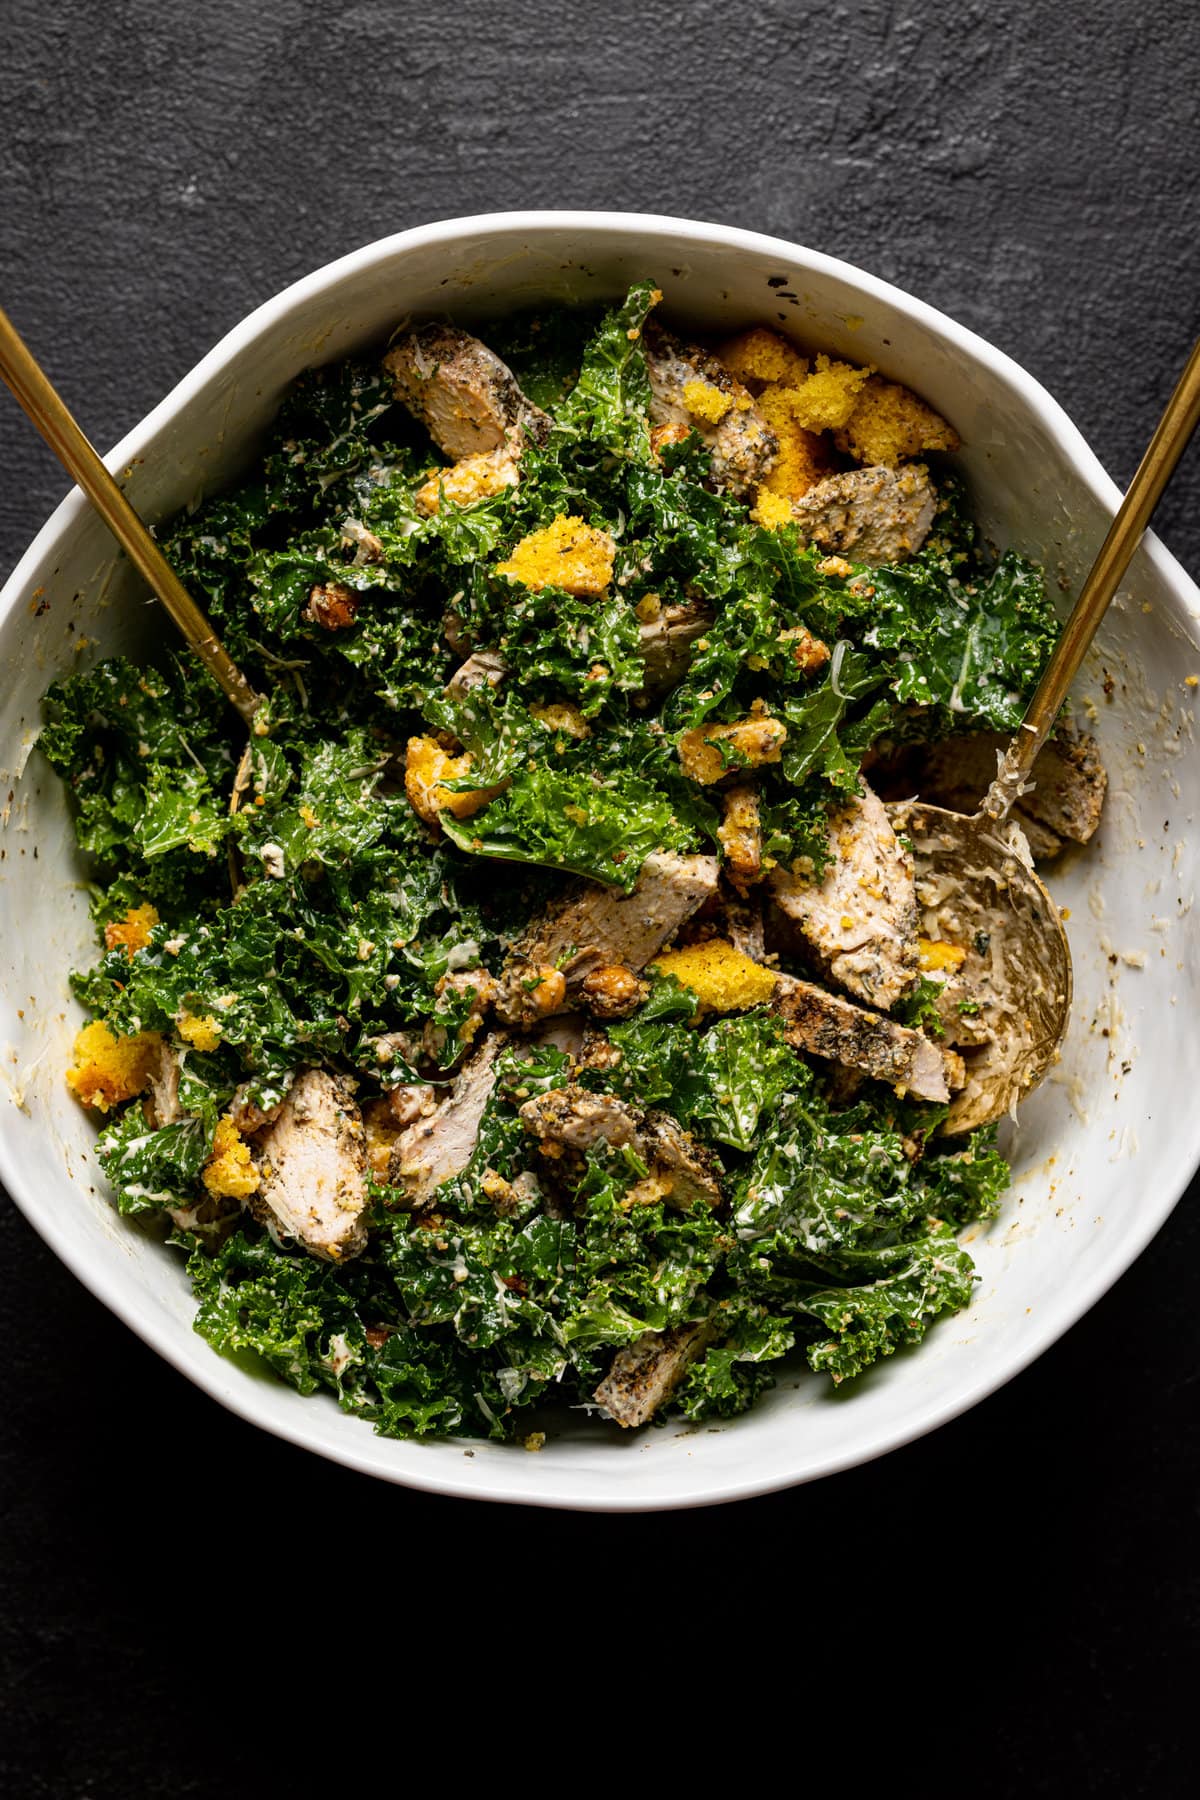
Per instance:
{"type": "Point", "coordinates": [873, 516]}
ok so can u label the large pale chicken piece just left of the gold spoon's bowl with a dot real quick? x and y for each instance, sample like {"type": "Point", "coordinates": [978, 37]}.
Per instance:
{"type": "Point", "coordinates": [863, 917]}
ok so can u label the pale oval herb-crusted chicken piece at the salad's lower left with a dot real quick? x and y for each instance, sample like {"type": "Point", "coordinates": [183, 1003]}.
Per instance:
{"type": "Point", "coordinates": [312, 1165]}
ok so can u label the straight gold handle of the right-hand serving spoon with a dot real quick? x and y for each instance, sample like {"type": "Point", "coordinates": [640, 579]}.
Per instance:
{"type": "Point", "coordinates": [1156, 469]}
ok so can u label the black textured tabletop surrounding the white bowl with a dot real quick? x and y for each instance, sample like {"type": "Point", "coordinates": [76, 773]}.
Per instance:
{"type": "Point", "coordinates": [165, 1569]}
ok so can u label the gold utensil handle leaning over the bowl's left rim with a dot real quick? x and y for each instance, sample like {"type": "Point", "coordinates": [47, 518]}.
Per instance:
{"type": "Point", "coordinates": [49, 413]}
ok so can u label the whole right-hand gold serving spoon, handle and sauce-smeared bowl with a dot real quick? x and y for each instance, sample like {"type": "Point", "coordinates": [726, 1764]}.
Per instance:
{"type": "Point", "coordinates": [974, 872]}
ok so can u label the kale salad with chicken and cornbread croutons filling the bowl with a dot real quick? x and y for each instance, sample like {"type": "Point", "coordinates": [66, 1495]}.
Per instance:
{"type": "Point", "coordinates": [544, 1009]}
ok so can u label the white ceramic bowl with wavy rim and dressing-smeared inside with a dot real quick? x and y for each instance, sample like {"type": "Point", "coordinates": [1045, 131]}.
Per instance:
{"type": "Point", "coordinates": [1104, 1149]}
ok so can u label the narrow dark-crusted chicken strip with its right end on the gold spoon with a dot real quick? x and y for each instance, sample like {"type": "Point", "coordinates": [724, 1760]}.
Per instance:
{"type": "Point", "coordinates": [825, 1025]}
